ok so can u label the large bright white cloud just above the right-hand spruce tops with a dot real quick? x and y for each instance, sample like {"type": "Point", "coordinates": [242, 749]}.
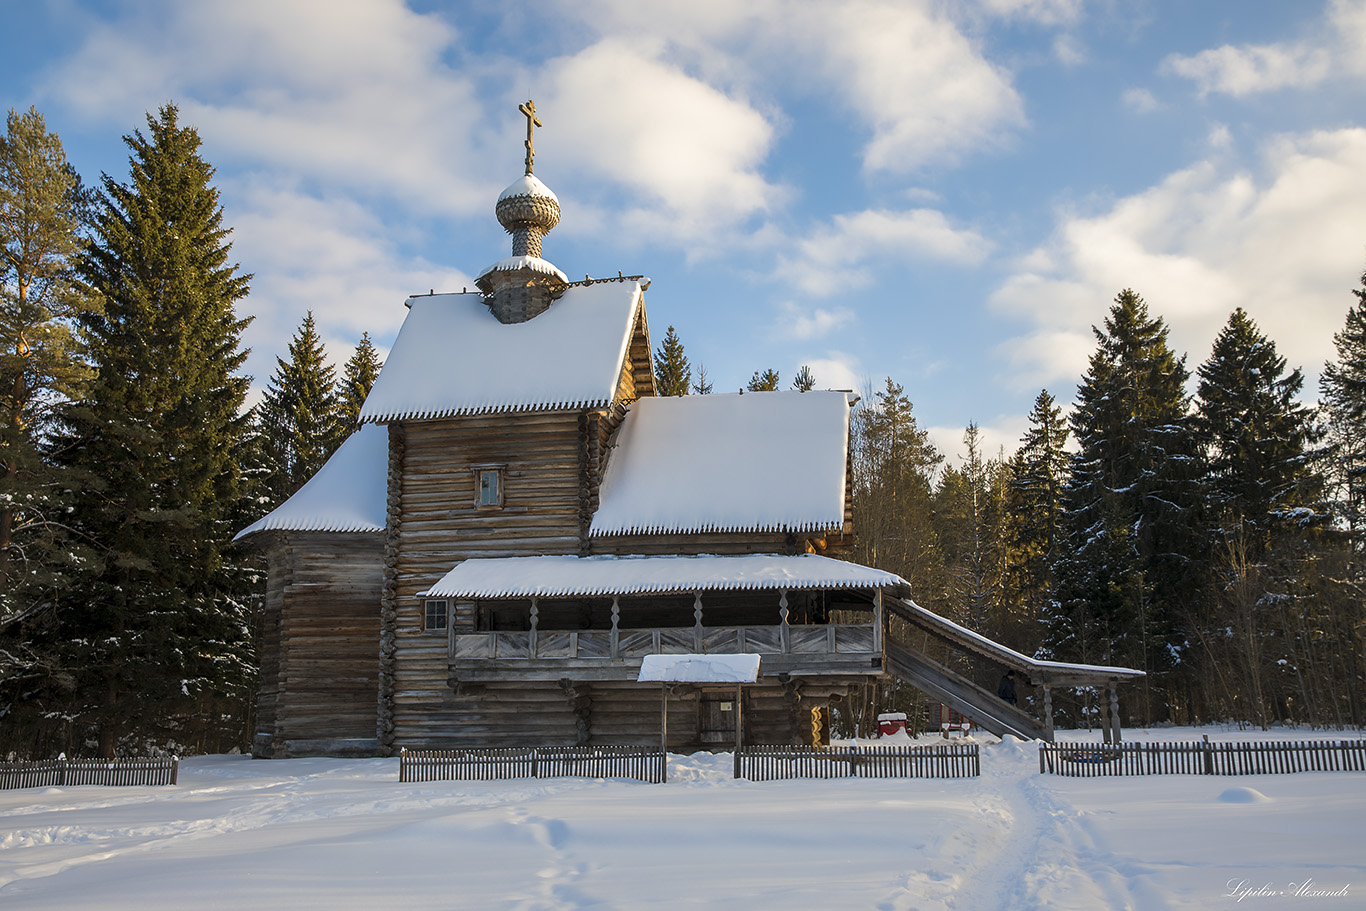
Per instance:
{"type": "Point", "coordinates": [1282, 244]}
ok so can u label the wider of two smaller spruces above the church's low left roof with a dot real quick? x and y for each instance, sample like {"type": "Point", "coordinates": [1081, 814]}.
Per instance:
{"type": "Point", "coordinates": [300, 415]}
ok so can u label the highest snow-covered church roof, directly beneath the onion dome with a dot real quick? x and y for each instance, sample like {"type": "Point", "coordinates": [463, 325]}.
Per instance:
{"type": "Point", "coordinates": [454, 357]}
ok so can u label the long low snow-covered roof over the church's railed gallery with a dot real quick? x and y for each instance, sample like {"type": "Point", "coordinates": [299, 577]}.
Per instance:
{"type": "Point", "coordinates": [607, 576]}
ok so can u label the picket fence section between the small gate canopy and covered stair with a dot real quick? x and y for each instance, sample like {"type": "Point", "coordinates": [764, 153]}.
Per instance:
{"type": "Point", "coordinates": [770, 763]}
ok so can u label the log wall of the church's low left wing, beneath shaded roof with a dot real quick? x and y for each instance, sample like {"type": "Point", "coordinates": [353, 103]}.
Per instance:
{"type": "Point", "coordinates": [322, 626]}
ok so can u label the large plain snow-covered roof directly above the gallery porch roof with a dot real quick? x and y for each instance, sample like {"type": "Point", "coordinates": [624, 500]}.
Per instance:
{"type": "Point", "coordinates": [757, 462]}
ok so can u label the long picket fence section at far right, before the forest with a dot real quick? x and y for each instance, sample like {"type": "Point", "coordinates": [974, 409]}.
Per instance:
{"type": "Point", "coordinates": [1201, 759]}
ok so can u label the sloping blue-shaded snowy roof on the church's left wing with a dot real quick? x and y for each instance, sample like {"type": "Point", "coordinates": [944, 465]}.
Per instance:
{"type": "Point", "coordinates": [346, 495]}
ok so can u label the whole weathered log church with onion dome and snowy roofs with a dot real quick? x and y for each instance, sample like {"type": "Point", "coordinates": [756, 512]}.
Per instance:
{"type": "Point", "coordinates": [520, 521]}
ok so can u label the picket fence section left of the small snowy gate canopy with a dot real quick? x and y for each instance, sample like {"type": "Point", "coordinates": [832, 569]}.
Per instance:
{"type": "Point", "coordinates": [532, 763]}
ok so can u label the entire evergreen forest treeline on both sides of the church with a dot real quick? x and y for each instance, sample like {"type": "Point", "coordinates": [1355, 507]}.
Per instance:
{"type": "Point", "coordinates": [1212, 540]}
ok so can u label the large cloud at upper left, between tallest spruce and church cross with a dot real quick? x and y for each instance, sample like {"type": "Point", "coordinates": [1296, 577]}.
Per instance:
{"type": "Point", "coordinates": [352, 92]}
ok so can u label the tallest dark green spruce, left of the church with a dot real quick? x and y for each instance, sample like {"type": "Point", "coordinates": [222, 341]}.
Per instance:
{"type": "Point", "coordinates": [161, 628]}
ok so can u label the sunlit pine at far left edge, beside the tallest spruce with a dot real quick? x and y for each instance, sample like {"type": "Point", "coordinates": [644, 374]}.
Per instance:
{"type": "Point", "coordinates": [42, 367]}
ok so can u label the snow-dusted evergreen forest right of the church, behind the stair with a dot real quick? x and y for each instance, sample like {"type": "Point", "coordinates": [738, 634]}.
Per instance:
{"type": "Point", "coordinates": [1212, 540]}
